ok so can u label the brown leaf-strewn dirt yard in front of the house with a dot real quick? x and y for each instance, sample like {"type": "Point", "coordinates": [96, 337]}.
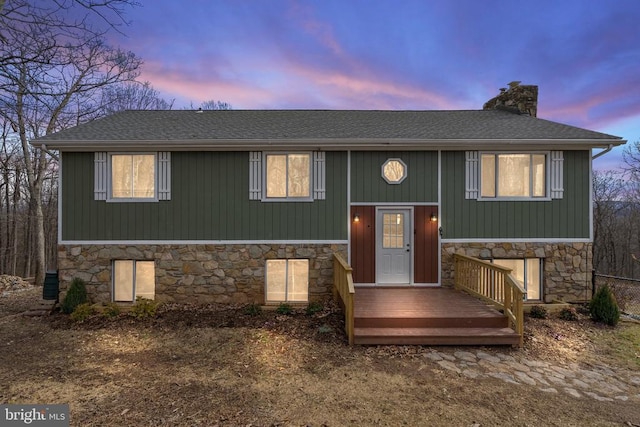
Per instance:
{"type": "Point", "coordinates": [213, 366]}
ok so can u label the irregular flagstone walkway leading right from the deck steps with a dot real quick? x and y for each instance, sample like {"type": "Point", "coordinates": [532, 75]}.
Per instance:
{"type": "Point", "coordinates": [597, 382]}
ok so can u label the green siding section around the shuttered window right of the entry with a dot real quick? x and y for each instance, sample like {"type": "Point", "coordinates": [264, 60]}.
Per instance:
{"type": "Point", "coordinates": [559, 218]}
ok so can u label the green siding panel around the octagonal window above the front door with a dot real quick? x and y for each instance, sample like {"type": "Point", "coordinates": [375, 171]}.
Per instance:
{"type": "Point", "coordinates": [368, 186]}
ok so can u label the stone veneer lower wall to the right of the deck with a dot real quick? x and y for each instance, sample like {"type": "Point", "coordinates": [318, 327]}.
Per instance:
{"type": "Point", "coordinates": [567, 266]}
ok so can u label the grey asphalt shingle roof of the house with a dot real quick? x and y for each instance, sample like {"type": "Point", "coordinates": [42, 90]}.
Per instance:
{"type": "Point", "coordinates": [304, 125]}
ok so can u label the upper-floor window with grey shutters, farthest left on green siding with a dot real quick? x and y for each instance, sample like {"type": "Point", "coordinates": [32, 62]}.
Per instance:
{"type": "Point", "coordinates": [132, 176]}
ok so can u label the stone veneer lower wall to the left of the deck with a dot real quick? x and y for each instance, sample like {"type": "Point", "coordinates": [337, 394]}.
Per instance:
{"type": "Point", "coordinates": [199, 274]}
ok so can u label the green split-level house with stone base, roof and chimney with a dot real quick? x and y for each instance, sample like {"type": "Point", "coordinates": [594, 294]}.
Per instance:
{"type": "Point", "coordinates": [250, 206]}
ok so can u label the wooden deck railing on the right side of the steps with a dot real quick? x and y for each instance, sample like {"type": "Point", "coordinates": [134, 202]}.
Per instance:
{"type": "Point", "coordinates": [494, 284]}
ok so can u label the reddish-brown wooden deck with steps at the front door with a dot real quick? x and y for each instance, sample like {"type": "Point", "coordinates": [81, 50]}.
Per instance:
{"type": "Point", "coordinates": [427, 316]}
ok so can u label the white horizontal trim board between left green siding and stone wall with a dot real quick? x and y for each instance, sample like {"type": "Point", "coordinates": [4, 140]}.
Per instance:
{"type": "Point", "coordinates": [203, 242]}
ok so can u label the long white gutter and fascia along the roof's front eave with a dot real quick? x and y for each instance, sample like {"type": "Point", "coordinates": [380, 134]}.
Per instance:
{"type": "Point", "coordinates": [334, 144]}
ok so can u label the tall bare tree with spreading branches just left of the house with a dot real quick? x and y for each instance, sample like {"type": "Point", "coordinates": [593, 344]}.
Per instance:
{"type": "Point", "coordinates": [54, 64]}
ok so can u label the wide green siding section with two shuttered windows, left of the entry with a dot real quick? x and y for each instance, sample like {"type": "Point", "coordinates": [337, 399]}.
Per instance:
{"type": "Point", "coordinates": [209, 201]}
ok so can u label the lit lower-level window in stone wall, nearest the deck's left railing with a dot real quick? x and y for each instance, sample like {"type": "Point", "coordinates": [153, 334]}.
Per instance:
{"type": "Point", "coordinates": [287, 280]}
